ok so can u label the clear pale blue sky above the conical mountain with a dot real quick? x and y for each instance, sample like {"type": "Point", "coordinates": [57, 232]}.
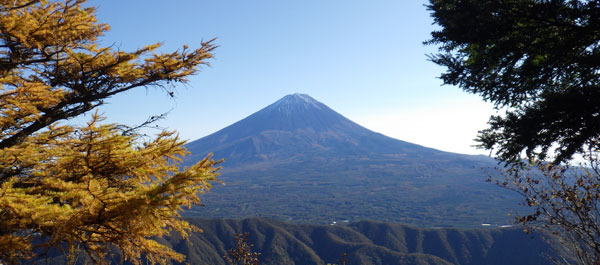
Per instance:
{"type": "Point", "coordinates": [364, 59]}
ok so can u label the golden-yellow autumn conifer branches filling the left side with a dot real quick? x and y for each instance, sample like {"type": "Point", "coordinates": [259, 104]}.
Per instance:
{"type": "Point", "coordinates": [93, 187]}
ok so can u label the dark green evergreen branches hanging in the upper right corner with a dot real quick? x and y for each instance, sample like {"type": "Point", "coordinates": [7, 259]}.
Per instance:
{"type": "Point", "coordinates": [539, 60]}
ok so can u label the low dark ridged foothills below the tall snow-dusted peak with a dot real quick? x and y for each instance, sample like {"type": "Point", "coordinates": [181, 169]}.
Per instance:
{"type": "Point", "coordinates": [366, 243]}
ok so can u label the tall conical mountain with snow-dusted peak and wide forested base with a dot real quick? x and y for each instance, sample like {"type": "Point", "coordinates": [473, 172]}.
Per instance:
{"type": "Point", "coordinates": [299, 160]}
